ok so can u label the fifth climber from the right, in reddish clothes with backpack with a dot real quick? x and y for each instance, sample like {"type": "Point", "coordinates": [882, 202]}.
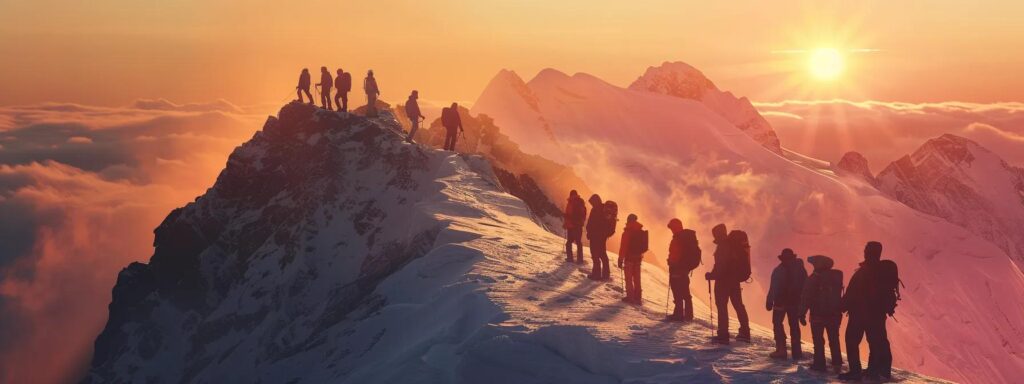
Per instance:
{"type": "Point", "coordinates": [685, 257]}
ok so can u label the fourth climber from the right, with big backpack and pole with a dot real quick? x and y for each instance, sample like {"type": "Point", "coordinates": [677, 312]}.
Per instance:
{"type": "Point", "coordinates": [729, 272]}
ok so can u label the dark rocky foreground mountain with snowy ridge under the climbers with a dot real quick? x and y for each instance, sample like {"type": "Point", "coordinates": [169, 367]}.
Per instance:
{"type": "Point", "coordinates": [329, 251]}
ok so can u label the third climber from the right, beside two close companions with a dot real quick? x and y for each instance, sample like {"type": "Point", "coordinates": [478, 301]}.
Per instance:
{"type": "Point", "coordinates": [784, 302]}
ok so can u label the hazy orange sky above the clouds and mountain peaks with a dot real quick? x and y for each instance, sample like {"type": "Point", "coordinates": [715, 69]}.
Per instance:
{"type": "Point", "coordinates": [115, 52]}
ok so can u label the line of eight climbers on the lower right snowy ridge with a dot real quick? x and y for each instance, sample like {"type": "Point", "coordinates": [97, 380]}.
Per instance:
{"type": "Point", "coordinates": [870, 300]}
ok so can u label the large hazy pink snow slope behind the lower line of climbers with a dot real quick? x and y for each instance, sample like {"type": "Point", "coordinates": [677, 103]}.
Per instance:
{"type": "Point", "coordinates": [663, 156]}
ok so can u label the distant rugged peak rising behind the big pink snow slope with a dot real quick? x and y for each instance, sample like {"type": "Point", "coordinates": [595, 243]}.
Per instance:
{"type": "Point", "coordinates": [681, 80]}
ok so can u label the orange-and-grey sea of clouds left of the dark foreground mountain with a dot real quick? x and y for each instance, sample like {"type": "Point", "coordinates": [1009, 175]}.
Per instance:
{"type": "Point", "coordinates": [81, 190]}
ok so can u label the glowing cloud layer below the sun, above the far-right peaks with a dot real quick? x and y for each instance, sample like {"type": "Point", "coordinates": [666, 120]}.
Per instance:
{"type": "Point", "coordinates": [886, 132]}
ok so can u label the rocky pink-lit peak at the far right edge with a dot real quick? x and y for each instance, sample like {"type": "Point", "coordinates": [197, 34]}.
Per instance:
{"type": "Point", "coordinates": [957, 180]}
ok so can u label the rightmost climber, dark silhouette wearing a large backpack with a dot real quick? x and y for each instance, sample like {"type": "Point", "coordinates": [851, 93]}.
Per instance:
{"type": "Point", "coordinates": [871, 297]}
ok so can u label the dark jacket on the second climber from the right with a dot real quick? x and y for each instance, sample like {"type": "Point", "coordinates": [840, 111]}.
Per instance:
{"type": "Point", "coordinates": [823, 292]}
